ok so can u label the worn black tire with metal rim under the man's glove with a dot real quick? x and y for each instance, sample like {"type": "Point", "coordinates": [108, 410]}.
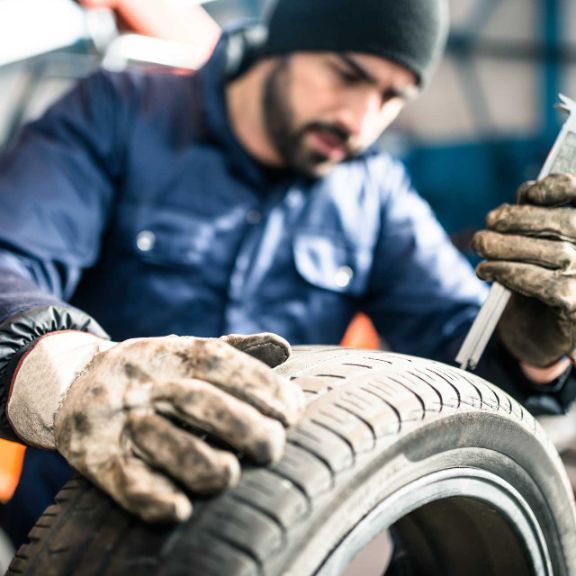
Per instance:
{"type": "Point", "coordinates": [463, 474]}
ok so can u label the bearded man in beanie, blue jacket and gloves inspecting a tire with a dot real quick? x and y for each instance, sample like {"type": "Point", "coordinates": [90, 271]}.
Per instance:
{"type": "Point", "coordinates": [246, 198]}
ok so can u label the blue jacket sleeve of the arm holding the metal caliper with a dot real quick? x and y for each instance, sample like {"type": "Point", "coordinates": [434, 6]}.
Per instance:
{"type": "Point", "coordinates": [423, 294]}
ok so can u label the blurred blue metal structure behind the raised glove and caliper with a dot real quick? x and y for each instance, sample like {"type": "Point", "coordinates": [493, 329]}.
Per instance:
{"type": "Point", "coordinates": [463, 181]}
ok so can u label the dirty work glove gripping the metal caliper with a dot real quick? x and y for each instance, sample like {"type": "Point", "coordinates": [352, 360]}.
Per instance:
{"type": "Point", "coordinates": [530, 248]}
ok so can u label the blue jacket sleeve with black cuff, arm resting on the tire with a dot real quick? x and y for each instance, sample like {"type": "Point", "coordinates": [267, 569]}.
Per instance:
{"type": "Point", "coordinates": [56, 190]}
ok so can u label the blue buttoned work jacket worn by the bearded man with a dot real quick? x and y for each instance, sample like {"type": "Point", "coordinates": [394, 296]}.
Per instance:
{"type": "Point", "coordinates": [132, 200]}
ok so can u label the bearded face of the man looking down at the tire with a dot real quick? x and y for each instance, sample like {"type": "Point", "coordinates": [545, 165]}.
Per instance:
{"type": "Point", "coordinates": [323, 108]}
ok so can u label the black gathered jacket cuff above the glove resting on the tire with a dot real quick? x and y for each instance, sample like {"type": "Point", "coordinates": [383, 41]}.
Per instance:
{"type": "Point", "coordinates": [20, 331]}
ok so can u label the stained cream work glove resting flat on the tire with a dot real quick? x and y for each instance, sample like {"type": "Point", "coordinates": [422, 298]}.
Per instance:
{"type": "Point", "coordinates": [132, 416]}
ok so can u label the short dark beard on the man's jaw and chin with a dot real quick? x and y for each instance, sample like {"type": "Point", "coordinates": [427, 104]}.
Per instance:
{"type": "Point", "coordinates": [288, 138]}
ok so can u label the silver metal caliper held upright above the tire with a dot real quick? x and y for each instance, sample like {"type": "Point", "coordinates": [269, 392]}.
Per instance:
{"type": "Point", "coordinates": [562, 158]}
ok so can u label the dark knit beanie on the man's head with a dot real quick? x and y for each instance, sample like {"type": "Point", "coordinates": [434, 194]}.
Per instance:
{"type": "Point", "coordinates": [409, 32]}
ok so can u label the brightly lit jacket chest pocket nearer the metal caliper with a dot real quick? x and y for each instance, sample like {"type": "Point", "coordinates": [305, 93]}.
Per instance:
{"type": "Point", "coordinates": [330, 265]}
